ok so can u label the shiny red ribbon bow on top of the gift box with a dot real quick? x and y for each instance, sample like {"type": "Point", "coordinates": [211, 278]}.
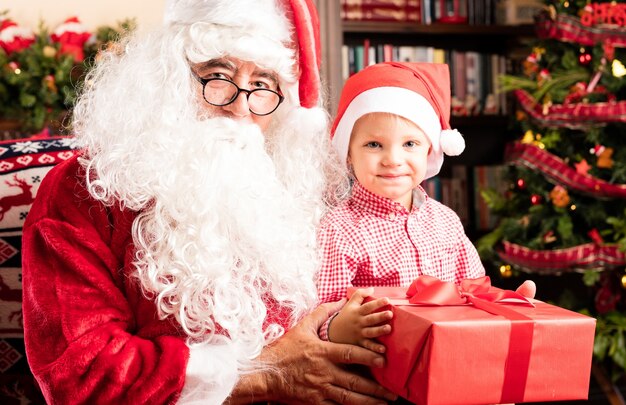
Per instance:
{"type": "Point", "coordinates": [428, 290]}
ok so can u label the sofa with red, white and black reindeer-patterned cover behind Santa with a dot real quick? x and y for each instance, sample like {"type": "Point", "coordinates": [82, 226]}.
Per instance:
{"type": "Point", "coordinates": [23, 164]}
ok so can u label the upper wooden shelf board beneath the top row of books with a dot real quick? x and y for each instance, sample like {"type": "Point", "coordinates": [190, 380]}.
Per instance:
{"type": "Point", "coordinates": [368, 27]}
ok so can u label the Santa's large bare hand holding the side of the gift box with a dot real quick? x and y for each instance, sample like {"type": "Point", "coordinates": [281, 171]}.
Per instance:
{"type": "Point", "coordinates": [313, 371]}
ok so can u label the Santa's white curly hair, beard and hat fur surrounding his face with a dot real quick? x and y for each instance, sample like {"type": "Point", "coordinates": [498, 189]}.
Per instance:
{"type": "Point", "coordinates": [227, 215]}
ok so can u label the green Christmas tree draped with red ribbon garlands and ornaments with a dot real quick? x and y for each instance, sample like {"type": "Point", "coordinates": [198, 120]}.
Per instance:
{"type": "Point", "coordinates": [563, 216]}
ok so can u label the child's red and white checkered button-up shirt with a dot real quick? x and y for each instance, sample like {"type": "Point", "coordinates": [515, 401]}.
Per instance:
{"type": "Point", "coordinates": [371, 240]}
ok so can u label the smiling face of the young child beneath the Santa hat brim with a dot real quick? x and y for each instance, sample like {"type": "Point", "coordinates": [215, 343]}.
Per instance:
{"type": "Point", "coordinates": [388, 155]}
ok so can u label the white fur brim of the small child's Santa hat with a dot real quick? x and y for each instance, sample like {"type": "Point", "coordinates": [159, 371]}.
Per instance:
{"type": "Point", "coordinates": [395, 100]}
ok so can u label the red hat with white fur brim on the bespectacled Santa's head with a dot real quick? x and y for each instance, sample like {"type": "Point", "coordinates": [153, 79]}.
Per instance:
{"type": "Point", "coordinates": [277, 34]}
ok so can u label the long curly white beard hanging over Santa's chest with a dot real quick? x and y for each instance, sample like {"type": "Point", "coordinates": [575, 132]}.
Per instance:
{"type": "Point", "coordinates": [221, 233]}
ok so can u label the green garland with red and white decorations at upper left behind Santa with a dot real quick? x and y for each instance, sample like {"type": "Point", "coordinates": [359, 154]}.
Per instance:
{"type": "Point", "coordinates": [41, 72]}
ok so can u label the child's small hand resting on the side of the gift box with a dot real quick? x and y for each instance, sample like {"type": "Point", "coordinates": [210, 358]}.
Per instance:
{"type": "Point", "coordinates": [358, 323]}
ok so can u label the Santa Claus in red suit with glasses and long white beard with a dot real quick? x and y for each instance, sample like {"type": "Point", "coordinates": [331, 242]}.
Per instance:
{"type": "Point", "coordinates": [174, 259]}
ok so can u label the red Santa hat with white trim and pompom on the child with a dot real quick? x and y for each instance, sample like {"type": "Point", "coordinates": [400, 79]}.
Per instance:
{"type": "Point", "coordinates": [419, 92]}
